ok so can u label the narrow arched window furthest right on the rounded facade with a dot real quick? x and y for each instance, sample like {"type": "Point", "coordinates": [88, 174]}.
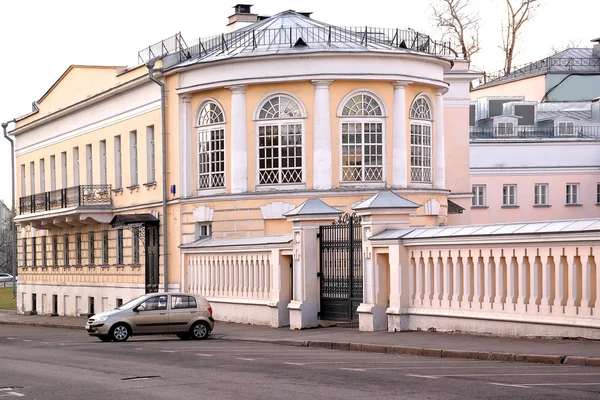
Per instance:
{"type": "Point", "coordinates": [420, 141]}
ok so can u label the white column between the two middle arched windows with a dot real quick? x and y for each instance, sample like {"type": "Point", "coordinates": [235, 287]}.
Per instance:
{"type": "Point", "coordinates": [322, 158]}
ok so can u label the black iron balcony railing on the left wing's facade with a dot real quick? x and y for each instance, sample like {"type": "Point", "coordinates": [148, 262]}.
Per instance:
{"type": "Point", "coordinates": [63, 198]}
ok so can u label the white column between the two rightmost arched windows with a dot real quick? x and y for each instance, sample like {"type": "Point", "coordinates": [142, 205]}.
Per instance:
{"type": "Point", "coordinates": [399, 139]}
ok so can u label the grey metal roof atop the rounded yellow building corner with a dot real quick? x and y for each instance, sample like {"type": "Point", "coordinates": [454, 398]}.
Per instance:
{"type": "Point", "coordinates": [291, 33]}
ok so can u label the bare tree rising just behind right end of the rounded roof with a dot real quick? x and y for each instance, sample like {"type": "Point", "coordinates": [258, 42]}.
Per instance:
{"type": "Point", "coordinates": [460, 22]}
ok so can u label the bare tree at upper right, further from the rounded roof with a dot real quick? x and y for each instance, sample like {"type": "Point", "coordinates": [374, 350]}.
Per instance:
{"type": "Point", "coordinates": [518, 12]}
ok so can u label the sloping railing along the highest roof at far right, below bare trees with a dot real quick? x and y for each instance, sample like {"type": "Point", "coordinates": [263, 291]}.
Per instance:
{"type": "Point", "coordinates": [555, 64]}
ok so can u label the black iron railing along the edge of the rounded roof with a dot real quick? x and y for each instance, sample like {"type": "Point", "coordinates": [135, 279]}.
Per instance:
{"type": "Point", "coordinates": [252, 39]}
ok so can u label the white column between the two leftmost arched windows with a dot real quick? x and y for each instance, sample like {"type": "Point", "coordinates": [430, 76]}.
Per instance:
{"type": "Point", "coordinates": [238, 160]}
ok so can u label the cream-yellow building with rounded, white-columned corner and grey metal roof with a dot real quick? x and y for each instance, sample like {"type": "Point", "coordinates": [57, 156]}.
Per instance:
{"type": "Point", "coordinates": [258, 121]}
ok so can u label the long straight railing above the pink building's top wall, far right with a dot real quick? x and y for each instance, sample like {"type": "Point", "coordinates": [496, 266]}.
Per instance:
{"type": "Point", "coordinates": [524, 133]}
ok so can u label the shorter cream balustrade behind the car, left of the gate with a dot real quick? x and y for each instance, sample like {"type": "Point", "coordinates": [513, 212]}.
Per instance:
{"type": "Point", "coordinates": [243, 276]}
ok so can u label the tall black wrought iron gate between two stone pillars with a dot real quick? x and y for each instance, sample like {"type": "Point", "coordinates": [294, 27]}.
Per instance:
{"type": "Point", "coordinates": [341, 268]}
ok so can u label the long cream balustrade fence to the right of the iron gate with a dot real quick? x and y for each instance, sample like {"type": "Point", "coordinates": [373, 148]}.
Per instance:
{"type": "Point", "coordinates": [532, 279]}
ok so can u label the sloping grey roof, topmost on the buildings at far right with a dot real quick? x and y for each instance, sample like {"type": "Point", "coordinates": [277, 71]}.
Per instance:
{"type": "Point", "coordinates": [575, 60]}
